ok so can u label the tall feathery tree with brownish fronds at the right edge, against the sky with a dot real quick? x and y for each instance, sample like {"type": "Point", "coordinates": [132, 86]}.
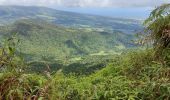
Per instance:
{"type": "Point", "coordinates": [158, 28]}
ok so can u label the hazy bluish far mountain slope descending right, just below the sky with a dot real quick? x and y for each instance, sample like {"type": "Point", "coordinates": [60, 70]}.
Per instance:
{"type": "Point", "coordinates": [9, 14]}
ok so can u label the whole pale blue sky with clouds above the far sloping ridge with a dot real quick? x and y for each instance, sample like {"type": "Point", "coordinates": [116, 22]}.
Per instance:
{"type": "Point", "coordinates": [138, 9]}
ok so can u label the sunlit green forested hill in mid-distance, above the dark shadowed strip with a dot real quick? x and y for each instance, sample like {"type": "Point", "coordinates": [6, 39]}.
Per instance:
{"type": "Point", "coordinates": [39, 38]}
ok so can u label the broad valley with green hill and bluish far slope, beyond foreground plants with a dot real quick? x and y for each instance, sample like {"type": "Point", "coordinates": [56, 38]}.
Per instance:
{"type": "Point", "coordinates": [68, 38]}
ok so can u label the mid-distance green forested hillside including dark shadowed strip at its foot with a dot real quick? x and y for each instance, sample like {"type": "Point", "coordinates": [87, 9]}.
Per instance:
{"type": "Point", "coordinates": [46, 46]}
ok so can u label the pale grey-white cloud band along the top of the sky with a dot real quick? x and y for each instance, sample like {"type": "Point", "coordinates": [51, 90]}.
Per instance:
{"type": "Point", "coordinates": [86, 3]}
